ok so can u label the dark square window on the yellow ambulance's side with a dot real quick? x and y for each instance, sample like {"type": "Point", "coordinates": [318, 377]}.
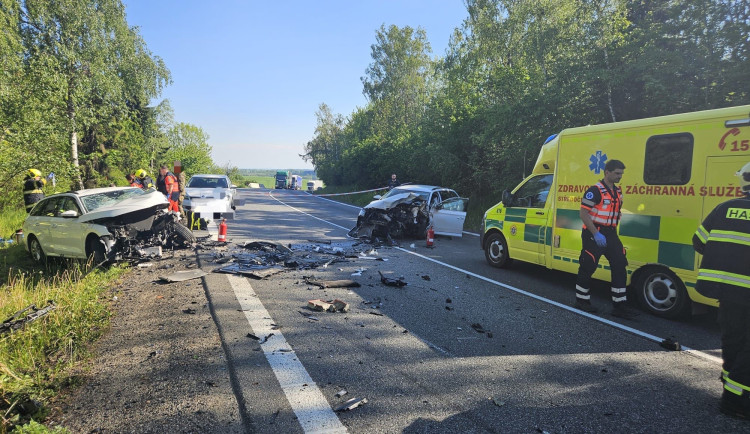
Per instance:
{"type": "Point", "coordinates": [669, 159]}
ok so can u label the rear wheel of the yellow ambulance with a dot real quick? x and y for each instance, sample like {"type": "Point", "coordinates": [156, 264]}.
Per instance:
{"type": "Point", "coordinates": [662, 293]}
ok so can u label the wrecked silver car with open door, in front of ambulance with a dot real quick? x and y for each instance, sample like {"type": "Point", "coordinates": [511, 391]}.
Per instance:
{"type": "Point", "coordinates": [408, 211]}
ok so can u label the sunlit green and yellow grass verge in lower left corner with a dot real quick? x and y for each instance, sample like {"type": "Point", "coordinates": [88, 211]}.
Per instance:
{"type": "Point", "coordinates": [35, 360]}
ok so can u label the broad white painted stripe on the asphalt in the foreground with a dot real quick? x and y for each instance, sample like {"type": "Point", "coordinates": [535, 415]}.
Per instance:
{"type": "Point", "coordinates": [307, 401]}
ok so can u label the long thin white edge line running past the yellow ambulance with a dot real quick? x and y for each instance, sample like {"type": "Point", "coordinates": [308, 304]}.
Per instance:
{"type": "Point", "coordinates": [648, 336]}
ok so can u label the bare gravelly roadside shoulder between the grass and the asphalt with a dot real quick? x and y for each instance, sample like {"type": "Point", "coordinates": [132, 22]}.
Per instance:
{"type": "Point", "coordinates": [160, 367]}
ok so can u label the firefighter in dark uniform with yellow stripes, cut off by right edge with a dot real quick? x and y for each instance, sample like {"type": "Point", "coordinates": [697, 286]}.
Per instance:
{"type": "Point", "coordinates": [724, 241]}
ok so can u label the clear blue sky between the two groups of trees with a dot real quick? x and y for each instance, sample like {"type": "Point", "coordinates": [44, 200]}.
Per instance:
{"type": "Point", "coordinates": [253, 73]}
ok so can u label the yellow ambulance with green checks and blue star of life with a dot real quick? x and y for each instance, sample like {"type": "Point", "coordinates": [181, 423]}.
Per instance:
{"type": "Point", "coordinates": [678, 168]}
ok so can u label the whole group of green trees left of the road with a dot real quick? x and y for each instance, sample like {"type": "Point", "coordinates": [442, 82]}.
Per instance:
{"type": "Point", "coordinates": [76, 82]}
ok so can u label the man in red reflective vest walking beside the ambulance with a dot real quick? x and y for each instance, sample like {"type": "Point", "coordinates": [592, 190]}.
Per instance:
{"type": "Point", "coordinates": [600, 212]}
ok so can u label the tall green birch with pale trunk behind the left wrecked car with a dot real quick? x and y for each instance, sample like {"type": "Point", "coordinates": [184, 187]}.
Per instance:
{"type": "Point", "coordinates": [98, 65]}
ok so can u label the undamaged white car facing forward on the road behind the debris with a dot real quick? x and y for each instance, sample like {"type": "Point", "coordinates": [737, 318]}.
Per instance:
{"type": "Point", "coordinates": [211, 197]}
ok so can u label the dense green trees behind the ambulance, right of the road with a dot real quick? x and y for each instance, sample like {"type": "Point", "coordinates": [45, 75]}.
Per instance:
{"type": "Point", "coordinates": [517, 71]}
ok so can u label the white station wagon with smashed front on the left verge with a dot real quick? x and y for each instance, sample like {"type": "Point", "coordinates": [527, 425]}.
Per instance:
{"type": "Point", "coordinates": [108, 224]}
